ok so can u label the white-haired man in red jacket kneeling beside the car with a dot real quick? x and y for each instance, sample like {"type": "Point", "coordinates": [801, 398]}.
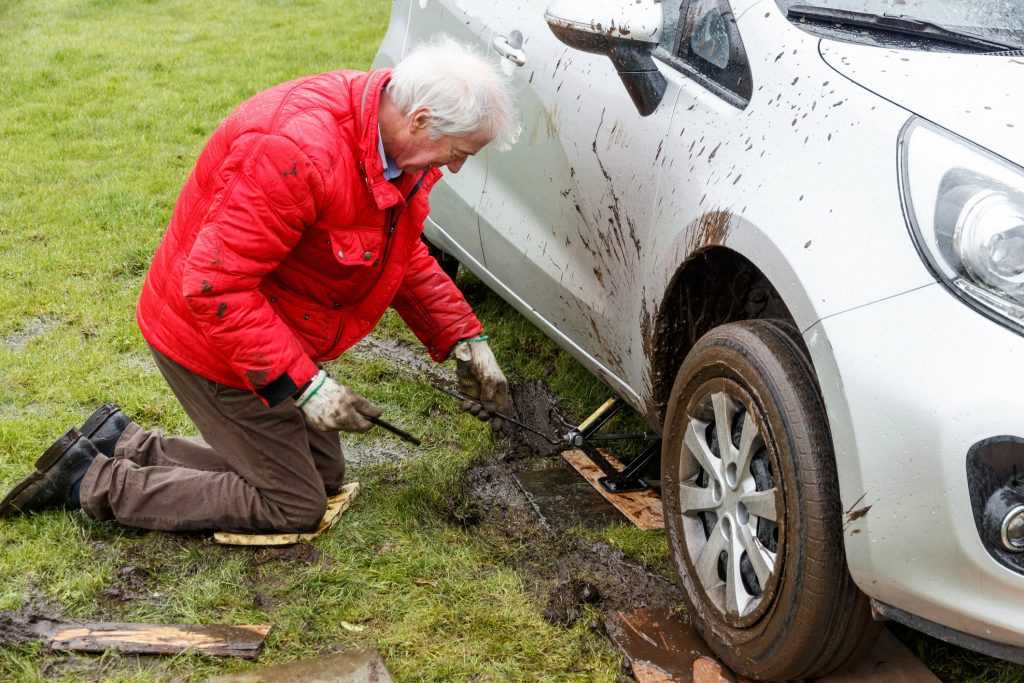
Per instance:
{"type": "Point", "coordinates": [297, 229]}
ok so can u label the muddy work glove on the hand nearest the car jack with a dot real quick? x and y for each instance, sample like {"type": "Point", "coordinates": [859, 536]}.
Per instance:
{"type": "Point", "coordinates": [482, 381]}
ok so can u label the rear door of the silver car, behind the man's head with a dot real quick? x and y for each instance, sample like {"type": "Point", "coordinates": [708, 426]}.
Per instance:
{"type": "Point", "coordinates": [455, 199]}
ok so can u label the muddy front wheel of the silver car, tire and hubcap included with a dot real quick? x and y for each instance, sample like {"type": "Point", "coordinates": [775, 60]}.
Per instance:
{"type": "Point", "coordinates": [773, 597]}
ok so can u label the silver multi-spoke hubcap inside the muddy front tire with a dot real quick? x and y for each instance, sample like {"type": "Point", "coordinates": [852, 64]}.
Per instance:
{"type": "Point", "coordinates": [728, 496]}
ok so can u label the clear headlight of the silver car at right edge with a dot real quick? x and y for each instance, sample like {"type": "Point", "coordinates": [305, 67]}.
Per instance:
{"type": "Point", "coordinates": [965, 207]}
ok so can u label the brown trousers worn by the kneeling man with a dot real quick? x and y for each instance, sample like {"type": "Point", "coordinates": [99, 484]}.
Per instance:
{"type": "Point", "coordinates": [257, 468]}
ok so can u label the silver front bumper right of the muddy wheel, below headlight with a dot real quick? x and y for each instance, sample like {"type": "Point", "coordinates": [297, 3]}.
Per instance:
{"type": "Point", "coordinates": [911, 385]}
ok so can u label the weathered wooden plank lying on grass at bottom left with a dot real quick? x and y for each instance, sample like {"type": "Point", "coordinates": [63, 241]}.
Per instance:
{"type": "Point", "coordinates": [241, 642]}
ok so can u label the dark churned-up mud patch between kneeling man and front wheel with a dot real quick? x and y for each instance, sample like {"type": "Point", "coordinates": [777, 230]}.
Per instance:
{"type": "Point", "coordinates": [562, 569]}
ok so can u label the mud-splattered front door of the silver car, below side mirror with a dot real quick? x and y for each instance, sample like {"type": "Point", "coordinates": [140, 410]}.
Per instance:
{"type": "Point", "coordinates": [566, 214]}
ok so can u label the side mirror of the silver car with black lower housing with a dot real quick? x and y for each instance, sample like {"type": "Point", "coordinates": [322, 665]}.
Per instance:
{"type": "Point", "coordinates": [625, 31]}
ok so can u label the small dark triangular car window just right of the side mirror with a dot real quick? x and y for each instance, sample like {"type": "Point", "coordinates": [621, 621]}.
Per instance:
{"type": "Point", "coordinates": [702, 38]}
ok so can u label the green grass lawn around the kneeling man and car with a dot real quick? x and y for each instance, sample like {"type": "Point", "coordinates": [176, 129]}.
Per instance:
{"type": "Point", "coordinates": [104, 107]}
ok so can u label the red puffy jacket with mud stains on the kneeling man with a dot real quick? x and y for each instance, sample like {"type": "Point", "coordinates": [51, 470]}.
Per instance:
{"type": "Point", "coordinates": [287, 245]}
